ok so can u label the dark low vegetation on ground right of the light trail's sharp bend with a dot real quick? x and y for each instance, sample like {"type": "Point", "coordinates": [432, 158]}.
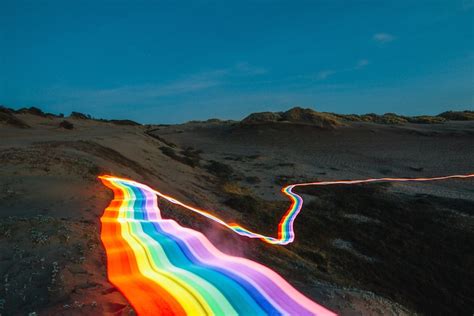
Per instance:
{"type": "Point", "coordinates": [412, 249]}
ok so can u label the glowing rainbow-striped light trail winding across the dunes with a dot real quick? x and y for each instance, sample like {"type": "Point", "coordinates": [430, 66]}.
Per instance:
{"type": "Point", "coordinates": [164, 268]}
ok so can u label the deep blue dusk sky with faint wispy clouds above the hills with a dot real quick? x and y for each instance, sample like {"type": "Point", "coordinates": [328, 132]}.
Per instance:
{"type": "Point", "coordinates": [170, 61]}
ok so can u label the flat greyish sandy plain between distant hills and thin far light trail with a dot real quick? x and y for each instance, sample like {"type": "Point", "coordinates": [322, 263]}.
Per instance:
{"type": "Point", "coordinates": [361, 150]}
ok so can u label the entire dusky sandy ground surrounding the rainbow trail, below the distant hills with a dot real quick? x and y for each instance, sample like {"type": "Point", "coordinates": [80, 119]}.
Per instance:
{"type": "Point", "coordinates": [52, 261]}
